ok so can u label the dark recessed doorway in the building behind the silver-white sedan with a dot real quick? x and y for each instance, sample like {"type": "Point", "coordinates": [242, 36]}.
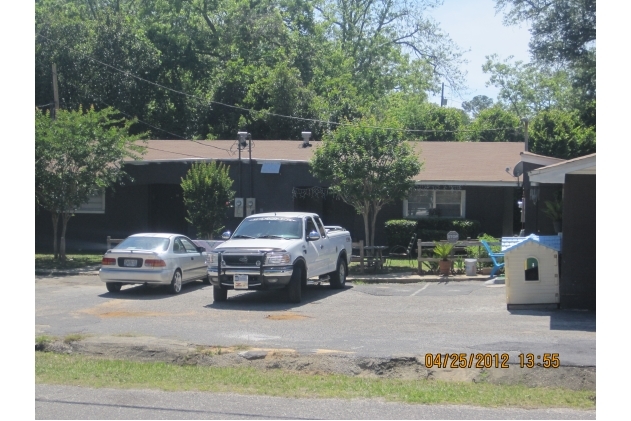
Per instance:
{"type": "Point", "coordinates": [166, 209]}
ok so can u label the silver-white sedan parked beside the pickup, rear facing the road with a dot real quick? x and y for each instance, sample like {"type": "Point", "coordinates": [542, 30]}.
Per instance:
{"type": "Point", "coordinates": [168, 259]}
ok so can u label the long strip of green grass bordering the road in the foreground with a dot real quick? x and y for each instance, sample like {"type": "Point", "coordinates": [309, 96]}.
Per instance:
{"type": "Point", "coordinates": [86, 371]}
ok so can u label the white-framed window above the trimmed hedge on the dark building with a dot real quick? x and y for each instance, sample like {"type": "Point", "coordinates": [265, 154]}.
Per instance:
{"type": "Point", "coordinates": [445, 203]}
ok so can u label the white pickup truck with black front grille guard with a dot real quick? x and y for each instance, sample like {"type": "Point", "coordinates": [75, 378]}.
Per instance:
{"type": "Point", "coordinates": [279, 250]}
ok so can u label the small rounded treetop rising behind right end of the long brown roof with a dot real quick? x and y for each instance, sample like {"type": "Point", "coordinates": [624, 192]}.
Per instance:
{"type": "Point", "coordinates": [496, 125]}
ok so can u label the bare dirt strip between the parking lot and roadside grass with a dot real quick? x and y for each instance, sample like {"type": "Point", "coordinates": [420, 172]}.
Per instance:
{"type": "Point", "coordinates": [323, 362]}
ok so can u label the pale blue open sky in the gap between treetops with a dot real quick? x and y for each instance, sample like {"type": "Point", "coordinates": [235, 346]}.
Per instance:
{"type": "Point", "coordinates": [474, 25]}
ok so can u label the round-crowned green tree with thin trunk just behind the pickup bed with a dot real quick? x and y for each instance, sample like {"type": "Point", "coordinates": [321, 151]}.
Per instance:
{"type": "Point", "coordinates": [367, 167]}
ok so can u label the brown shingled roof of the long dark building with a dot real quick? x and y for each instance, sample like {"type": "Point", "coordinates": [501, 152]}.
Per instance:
{"type": "Point", "coordinates": [471, 163]}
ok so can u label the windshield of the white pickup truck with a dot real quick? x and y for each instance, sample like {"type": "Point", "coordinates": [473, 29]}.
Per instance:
{"type": "Point", "coordinates": [270, 227]}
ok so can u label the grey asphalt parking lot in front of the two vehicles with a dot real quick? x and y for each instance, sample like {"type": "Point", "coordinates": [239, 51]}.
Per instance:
{"type": "Point", "coordinates": [376, 320]}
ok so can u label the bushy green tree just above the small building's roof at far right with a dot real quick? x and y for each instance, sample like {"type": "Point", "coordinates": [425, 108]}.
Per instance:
{"type": "Point", "coordinates": [561, 134]}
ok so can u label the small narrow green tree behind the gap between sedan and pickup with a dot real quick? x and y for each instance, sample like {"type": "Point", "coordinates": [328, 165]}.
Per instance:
{"type": "Point", "coordinates": [207, 194]}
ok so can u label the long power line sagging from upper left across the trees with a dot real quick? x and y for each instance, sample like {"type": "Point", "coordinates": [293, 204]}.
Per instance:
{"type": "Point", "coordinates": [249, 110]}
